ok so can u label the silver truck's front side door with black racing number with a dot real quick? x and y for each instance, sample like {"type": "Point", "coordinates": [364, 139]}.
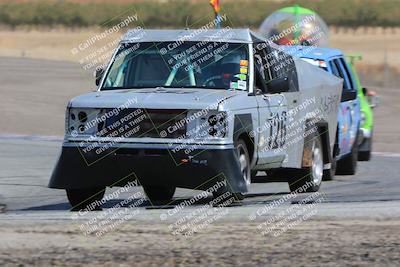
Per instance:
{"type": "Point", "coordinates": [272, 109]}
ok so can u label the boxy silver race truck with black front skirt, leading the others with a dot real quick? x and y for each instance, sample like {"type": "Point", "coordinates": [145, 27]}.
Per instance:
{"type": "Point", "coordinates": [198, 109]}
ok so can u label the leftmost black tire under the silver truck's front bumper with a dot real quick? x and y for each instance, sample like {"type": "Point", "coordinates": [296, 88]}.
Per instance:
{"type": "Point", "coordinates": [85, 198]}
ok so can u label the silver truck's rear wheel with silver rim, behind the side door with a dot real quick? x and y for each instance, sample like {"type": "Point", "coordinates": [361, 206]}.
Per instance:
{"type": "Point", "coordinates": [309, 178]}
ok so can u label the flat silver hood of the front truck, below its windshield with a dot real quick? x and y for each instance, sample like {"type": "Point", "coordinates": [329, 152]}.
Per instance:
{"type": "Point", "coordinates": [155, 98]}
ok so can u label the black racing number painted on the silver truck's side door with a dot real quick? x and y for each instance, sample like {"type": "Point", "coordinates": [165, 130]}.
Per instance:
{"type": "Point", "coordinates": [277, 130]}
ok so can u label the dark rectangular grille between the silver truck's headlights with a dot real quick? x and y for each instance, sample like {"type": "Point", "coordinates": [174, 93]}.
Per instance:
{"type": "Point", "coordinates": [139, 123]}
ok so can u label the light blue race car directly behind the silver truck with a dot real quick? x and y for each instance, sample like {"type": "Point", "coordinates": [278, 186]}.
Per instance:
{"type": "Point", "coordinates": [349, 117]}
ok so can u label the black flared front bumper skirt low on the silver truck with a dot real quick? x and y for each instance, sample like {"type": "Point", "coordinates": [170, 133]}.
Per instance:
{"type": "Point", "coordinates": [150, 164]}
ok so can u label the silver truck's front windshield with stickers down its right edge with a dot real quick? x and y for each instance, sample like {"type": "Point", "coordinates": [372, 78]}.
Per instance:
{"type": "Point", "coordinates": [213, 65]}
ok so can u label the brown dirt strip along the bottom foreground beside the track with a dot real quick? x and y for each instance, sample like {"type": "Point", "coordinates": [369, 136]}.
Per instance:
{"type": "Point", "coordinates": [363, 242]}
